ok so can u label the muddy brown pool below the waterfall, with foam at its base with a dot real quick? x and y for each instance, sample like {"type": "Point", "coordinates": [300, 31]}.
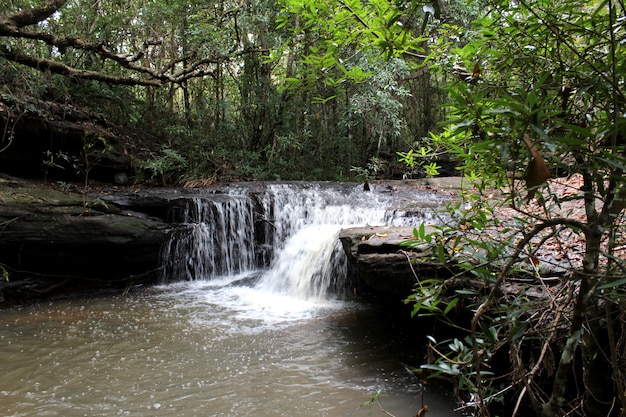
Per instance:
{"type": "Point", "coordinates": [204, 349]}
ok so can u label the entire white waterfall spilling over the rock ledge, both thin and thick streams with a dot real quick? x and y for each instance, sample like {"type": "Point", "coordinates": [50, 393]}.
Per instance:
{"type": "Point", "coordinates": [287, 231]}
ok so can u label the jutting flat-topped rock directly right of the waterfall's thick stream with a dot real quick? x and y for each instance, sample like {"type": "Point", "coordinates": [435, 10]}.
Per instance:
{"type": "Point", "coordinates": [382, 265]}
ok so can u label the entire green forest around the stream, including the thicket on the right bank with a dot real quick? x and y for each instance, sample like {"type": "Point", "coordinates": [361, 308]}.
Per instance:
{"type": "Point", "coordinates": [524, 97]}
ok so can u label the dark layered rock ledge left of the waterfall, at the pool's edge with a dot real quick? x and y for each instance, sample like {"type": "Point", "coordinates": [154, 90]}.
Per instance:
{"type": "Point", "coordinates": [54, 242]}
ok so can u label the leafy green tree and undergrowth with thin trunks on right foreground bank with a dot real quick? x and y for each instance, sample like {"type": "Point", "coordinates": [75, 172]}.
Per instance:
{"type": "Point", "coordinates": [541, 85]}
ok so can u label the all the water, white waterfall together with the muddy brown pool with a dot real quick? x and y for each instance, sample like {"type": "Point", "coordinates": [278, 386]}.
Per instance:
{"type": "Point", "coordinates": [281, 345]}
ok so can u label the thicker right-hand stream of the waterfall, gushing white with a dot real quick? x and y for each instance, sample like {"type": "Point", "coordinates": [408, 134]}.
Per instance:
{"type": "Point", "coordinates": [307, 222]}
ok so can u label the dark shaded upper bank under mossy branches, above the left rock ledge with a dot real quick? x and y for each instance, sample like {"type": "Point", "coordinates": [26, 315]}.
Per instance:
{"type": "Point", "coordinates": [50, 138]}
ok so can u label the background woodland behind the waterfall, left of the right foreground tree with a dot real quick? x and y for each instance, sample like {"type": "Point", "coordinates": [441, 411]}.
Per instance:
{"type": "Point", "coordinates": [236, 89]}
